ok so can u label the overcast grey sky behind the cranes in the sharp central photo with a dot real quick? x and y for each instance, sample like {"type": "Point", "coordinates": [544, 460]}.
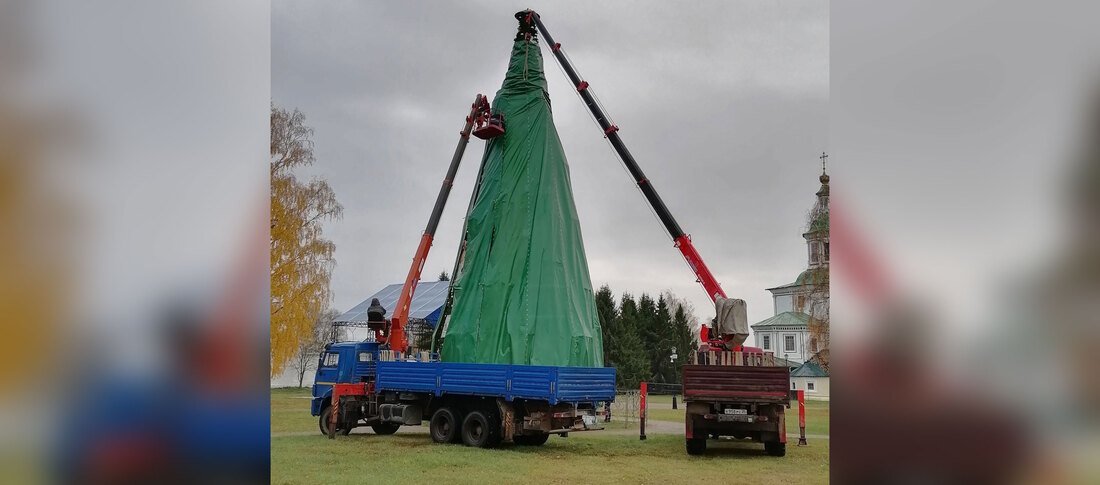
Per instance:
{"type": "Point", "coordinates": [724, 105]}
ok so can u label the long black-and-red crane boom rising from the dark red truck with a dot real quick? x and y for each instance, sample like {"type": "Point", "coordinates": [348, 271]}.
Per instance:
{"type": "Point", "coordinates": [531, 21]}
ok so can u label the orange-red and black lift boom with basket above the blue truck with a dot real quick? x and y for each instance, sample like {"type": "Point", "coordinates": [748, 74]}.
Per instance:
{"type": "Point", "coordinates": [483, 126]}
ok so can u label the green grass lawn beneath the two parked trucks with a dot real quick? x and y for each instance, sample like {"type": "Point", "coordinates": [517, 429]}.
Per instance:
{"type": "Point", "coordinates": [597, 457]}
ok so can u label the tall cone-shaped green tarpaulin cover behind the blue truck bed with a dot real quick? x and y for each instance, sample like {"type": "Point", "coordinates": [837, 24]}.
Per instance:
{"type": "Point", "coordinates": [524, 295]}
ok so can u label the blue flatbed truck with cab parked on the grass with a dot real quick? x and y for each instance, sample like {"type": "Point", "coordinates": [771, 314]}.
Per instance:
{"type": "Point", "coordinates": [481, 405]}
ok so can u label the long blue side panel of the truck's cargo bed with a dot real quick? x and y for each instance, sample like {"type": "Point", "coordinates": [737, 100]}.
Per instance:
{"type": "Point", "coordinates": [510, 382]}
